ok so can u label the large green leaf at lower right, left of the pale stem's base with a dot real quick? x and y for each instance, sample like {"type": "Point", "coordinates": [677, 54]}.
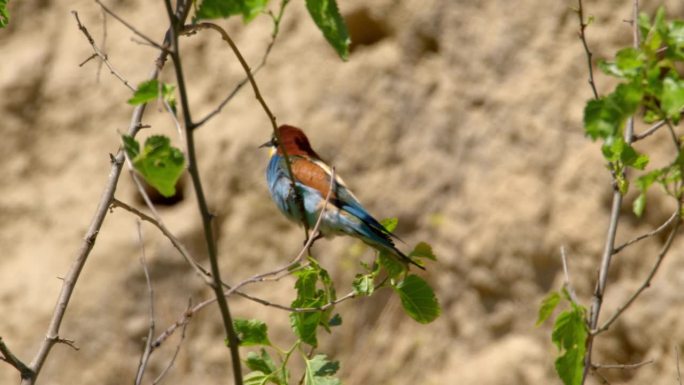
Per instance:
{"type": "Point", "coordinates": [569, 335]}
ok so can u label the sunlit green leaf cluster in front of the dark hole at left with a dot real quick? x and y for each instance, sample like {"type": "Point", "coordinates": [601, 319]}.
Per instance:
{"type": "Point", "coordinates": [159, 163]}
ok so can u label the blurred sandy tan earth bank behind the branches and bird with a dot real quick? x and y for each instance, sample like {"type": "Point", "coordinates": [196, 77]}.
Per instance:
{"type": "Point", "coordinates": [461, 118]}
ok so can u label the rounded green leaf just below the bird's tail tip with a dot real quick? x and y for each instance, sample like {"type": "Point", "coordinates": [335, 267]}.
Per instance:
{"type": "Point", "coordinates": [418, 299]}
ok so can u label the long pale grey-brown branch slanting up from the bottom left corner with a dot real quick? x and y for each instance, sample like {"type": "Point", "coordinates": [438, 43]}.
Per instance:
{"type": "Point", "coordinates": [69, 282]}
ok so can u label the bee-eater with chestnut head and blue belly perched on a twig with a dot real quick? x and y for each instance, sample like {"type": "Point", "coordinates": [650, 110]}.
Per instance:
{"type": "Point", "coordinates": [344, 214]}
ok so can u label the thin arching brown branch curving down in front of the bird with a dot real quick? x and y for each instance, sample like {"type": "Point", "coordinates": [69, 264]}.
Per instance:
{"type": "Point", "coordinates": [267, 110]}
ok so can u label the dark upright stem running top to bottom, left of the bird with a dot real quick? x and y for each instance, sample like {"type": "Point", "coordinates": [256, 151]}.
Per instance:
{"type": "Point", "coordinates": [176, 27]}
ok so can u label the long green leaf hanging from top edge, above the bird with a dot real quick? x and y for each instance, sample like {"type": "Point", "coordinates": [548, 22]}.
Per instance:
{"type": "Point", "coordinates": [327, 17]}
